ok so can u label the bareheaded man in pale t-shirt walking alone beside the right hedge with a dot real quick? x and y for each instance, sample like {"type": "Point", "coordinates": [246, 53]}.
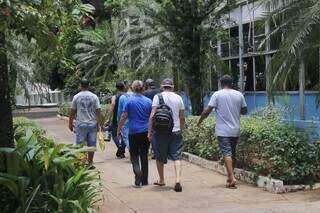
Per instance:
{"type": "Point", "coordinates": [229, 104]}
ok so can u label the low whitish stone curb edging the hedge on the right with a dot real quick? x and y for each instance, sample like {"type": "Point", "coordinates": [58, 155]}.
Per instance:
{"type": "Point", "coordinates": [269, 184]}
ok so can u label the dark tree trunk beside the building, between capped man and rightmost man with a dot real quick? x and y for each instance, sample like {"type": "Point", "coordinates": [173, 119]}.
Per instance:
{"type": "Point", "coordinates": [194, 73]}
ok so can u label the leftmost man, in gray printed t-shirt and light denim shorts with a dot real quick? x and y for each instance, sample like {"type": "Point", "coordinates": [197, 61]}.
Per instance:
{"type": "Point", "coordinates": [85, 108]}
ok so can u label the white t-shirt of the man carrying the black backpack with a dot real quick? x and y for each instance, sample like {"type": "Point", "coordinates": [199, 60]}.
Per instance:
{"type": "Point", "coordinates": [175, 102]}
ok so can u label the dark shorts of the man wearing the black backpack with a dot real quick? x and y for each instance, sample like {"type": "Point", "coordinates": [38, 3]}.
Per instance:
{"type": "Point", "coordinates": [168, 147]}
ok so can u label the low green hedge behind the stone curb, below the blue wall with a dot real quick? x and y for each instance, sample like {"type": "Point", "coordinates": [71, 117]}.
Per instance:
{"type": "Point", "coordinates": [267, 146]}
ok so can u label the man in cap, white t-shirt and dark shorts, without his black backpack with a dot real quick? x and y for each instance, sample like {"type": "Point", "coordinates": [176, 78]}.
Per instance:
{"type": "Point", "coordinates": [168, 146]}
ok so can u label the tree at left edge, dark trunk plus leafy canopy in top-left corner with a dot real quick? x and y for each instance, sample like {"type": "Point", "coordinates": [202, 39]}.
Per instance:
{"type": "Point", "coordinates": [37, 19]}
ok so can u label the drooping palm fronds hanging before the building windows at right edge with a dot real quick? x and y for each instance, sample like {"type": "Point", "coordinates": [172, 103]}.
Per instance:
{"type": "Point", "coordinates": [299, 23]}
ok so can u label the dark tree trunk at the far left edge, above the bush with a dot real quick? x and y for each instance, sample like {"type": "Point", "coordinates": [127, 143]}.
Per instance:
{"type": "Point", "coordinates": [6, 124]}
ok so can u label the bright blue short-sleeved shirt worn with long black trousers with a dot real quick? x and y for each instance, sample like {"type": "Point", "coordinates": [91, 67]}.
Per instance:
{"type": "Point", "coordinates": [138, 108]}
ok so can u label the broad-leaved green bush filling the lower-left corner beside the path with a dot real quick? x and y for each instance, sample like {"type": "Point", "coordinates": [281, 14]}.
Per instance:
{"type": "Point", "coordinates": [40, 176]}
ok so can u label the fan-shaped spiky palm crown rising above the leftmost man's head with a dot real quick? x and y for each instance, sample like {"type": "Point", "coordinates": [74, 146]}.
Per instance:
{"type": "Point", "coordinates": [99, 50]}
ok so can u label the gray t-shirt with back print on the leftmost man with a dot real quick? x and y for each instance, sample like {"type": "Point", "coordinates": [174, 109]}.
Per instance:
{"type": "Point", "coordinates": [86, 103]}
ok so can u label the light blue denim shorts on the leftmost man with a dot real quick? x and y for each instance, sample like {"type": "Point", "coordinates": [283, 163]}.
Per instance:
{"type": "Point", "coordinates": [86, 133]}
